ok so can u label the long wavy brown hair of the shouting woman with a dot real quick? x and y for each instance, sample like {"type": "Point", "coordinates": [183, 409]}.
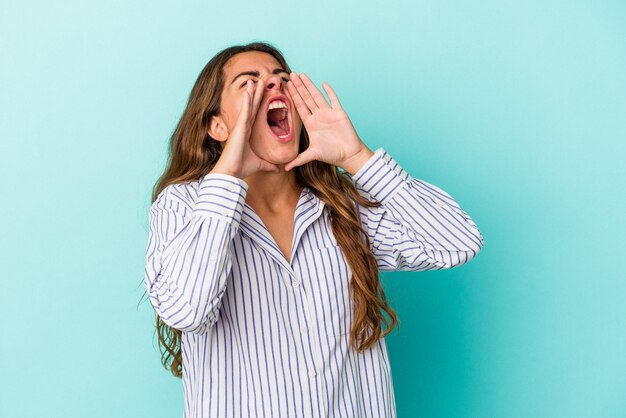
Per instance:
{"type": "Point", "coordinates": [193, 153]}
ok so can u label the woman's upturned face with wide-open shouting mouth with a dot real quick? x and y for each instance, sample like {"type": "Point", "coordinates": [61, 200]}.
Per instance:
{"type": "Point", "coordinates": [267, 127]}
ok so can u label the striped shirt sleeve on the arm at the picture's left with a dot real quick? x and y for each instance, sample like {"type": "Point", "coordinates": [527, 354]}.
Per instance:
{"type": "Point", "coordinates": [188, 256]}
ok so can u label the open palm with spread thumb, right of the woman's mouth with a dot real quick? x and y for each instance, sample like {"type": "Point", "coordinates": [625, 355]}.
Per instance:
{"type": "Point", "coordinates": [332, 137]}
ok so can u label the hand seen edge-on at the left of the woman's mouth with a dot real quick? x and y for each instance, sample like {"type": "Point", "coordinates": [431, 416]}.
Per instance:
{"type": "Point", "coordinates": [237, 157]}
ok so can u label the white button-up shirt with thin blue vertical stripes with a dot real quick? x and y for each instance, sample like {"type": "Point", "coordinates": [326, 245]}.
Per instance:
{"type": "Point", "coordinates": [264, 337]}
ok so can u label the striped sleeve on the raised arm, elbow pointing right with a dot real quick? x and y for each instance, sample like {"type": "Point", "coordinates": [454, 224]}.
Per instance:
{"type": "Point", "coordinates": [418, 226]}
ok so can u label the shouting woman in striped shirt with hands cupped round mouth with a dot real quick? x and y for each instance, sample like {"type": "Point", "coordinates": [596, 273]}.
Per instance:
{"type": "Point", "coordinates": [263, 256]}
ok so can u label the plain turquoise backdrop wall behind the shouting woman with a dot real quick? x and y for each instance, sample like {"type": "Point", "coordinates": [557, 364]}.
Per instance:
{"type": "Point", "coordinates": [517, 109]}
